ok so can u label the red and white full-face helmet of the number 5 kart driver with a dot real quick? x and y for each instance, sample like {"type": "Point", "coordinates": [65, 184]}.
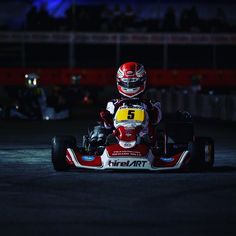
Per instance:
{"type": "Point", "coordinates": [131, 79]}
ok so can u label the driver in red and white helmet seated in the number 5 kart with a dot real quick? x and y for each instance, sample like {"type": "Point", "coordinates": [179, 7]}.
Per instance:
{"type": "Point", "coordinates": [131, 83]}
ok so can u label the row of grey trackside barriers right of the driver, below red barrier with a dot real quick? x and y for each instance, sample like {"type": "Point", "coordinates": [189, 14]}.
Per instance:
{"type": "Point", "coordinates": [210, 106]}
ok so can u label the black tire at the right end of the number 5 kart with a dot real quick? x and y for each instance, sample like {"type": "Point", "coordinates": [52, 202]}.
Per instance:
{"type": "Point", "coordinates": [209, 151]}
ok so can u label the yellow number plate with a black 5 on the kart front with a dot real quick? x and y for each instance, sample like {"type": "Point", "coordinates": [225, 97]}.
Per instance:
{"type": "Point", "coordinates": [130, 114]}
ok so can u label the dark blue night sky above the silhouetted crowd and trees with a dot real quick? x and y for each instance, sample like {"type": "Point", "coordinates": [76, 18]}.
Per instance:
{"type": "Point", "coordinates": [13, 11]}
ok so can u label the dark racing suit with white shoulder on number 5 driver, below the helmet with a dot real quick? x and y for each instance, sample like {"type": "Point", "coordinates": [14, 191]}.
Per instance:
{"type": "Point", "coordinates": [153, 114]}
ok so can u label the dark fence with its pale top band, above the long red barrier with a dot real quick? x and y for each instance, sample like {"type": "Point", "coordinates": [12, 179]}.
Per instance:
{"type": "Point", "coordinates": [157, 50]}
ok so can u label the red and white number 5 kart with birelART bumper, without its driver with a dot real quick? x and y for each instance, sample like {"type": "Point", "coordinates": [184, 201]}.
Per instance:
{"type": "Point", "coordinates": [175, 148]}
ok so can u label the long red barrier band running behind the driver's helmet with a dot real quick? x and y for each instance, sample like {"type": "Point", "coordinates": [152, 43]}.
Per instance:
{"type": "Point", "coordinates": [104, 77]}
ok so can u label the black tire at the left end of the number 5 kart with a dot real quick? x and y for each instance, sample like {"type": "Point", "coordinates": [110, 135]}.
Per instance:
{"type": "Point", "coordinates": [59, 146]}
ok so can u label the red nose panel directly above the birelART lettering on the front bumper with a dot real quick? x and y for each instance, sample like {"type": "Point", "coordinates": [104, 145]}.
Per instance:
{"type": "Point", "coordinates": [116, 150]}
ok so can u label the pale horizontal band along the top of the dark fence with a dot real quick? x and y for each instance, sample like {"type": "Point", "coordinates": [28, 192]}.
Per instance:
{"type": "Point", "coordinates": [112, 38]}
